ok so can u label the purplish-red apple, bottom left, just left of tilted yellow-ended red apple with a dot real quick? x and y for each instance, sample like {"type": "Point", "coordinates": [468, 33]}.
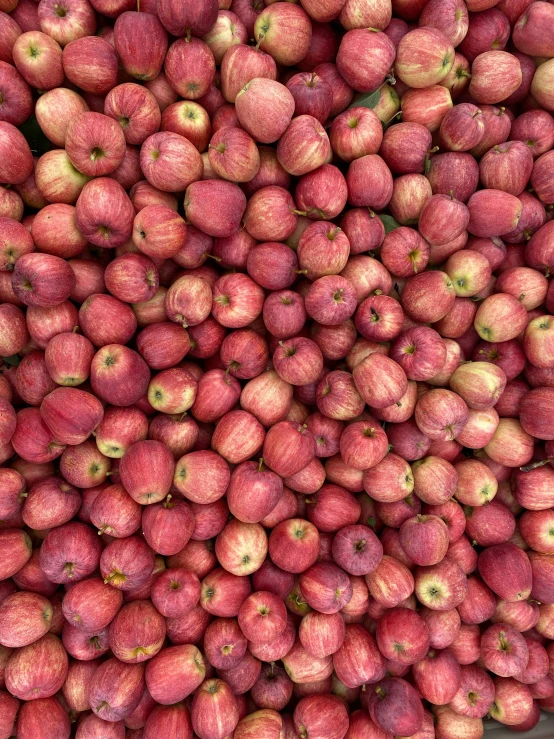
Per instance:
{"type": "Point", "coordinates": [116, 689]}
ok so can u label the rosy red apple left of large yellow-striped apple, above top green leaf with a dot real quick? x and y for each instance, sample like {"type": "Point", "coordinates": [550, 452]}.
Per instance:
{"type": "Point", "coordinates": [377, 52]}
